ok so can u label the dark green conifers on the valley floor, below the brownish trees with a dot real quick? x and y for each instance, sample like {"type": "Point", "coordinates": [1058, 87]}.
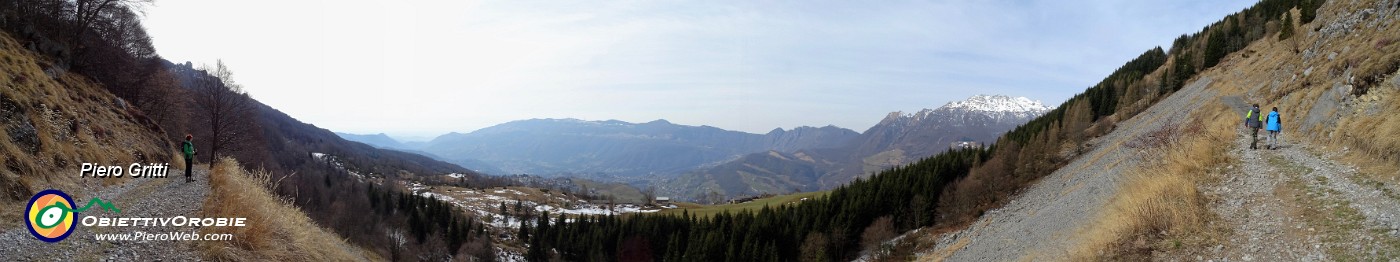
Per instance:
{"type": "Point", "coordinates": [827, 228]}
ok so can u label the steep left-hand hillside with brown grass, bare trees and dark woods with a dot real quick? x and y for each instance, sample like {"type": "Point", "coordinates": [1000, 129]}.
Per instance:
{"type": "Point", "coordinates": [86, 44]}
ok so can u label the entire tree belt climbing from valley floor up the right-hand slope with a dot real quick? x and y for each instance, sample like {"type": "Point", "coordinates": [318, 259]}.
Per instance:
{"type": "Point", "coordinates": [946, 190]}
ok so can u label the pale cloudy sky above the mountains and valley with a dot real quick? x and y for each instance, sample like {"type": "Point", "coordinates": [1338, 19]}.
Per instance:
{"type": "Point", "coordinates": [421, 69]}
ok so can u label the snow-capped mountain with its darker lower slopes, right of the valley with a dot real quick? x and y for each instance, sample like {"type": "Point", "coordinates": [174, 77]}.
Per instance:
{"type": "Point", "coordinates": [898, 139]}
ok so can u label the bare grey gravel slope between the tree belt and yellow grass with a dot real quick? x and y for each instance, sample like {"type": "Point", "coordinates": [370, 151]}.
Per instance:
{"type": "Point", "coordinates": [1041, 221]}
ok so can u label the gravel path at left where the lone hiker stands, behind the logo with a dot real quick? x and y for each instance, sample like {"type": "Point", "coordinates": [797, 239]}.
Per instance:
{"type": "Point", "coordinates": [139, 198]}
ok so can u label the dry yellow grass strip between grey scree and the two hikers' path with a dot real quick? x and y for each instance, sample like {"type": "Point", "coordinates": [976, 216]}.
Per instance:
{"type": "Point", "coordinates": [1160, 200]}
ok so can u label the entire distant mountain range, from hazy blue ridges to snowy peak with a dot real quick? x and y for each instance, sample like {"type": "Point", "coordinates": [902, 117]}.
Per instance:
{"type": "Point", "coordinates": [687, 162]}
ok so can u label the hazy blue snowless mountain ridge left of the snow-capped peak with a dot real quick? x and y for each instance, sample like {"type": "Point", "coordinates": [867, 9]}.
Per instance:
{"type": "Point", "coordinates": [617, 148]}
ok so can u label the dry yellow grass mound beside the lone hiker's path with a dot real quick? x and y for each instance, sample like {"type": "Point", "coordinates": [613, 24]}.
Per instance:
{"type": "Point", "coordinates": [275, 230]}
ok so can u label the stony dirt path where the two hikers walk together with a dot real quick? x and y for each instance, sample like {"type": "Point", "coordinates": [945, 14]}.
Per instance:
{"type": "Point", "coordinates": [1293, 204]}
